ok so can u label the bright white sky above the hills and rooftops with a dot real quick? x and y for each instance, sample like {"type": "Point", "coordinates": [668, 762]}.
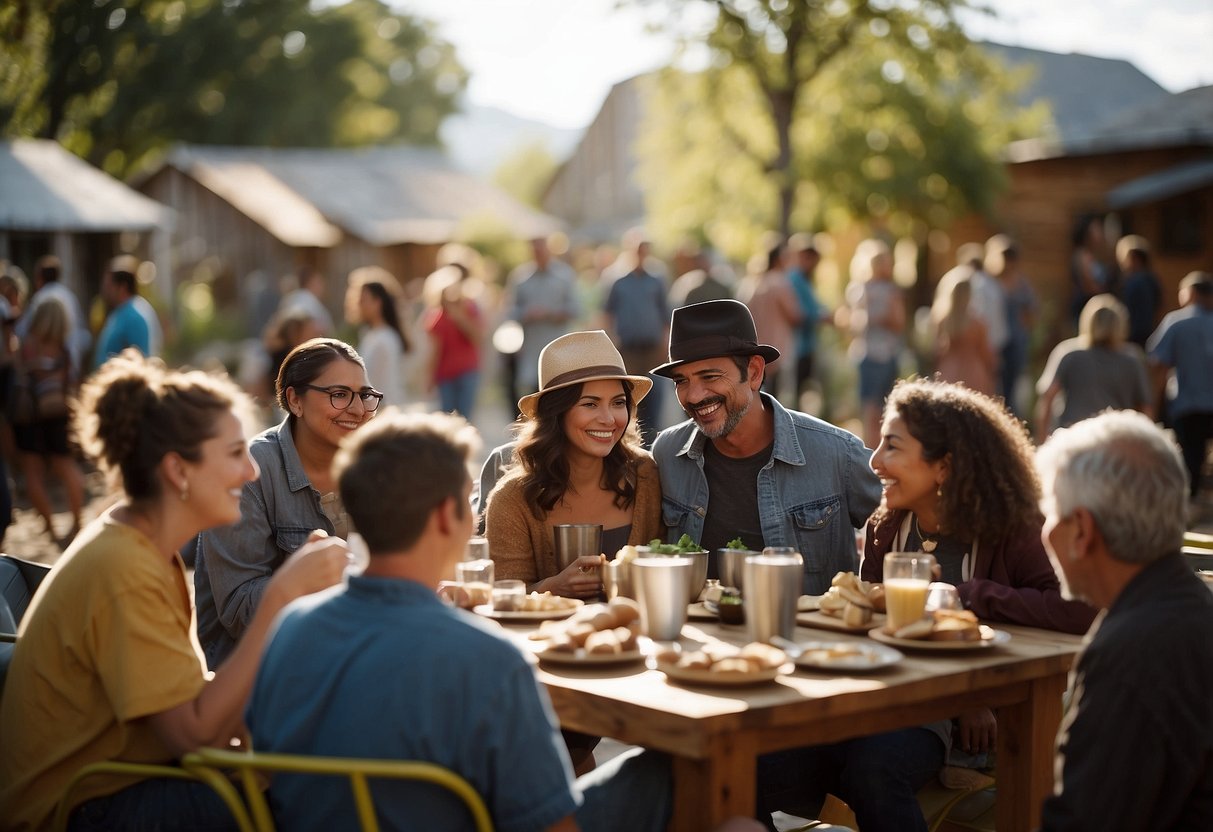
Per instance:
{"type": "Point", "coordinates": [555, 61]}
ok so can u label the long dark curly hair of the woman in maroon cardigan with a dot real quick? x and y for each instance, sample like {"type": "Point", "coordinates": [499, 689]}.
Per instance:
{"type": "Point", "coordinates": [992, 488]}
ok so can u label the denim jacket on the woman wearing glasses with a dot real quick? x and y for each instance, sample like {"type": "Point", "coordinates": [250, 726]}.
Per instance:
{"type": "Point", "coordinates": [278, 511]}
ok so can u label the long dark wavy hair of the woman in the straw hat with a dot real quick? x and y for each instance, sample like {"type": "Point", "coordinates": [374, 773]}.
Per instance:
{"type": "Point", "coordinates": [543, 453]}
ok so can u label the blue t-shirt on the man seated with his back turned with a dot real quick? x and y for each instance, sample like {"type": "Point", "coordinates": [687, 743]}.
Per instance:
{"type": "Point", "coordinates": [381, 669]}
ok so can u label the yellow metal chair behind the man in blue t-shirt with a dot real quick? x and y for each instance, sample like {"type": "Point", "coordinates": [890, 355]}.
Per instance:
{"type": "Point", "coordinates": [209, 762]}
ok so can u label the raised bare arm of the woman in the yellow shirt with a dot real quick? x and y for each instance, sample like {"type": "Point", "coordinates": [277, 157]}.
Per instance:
{"type": "Point", "coordinates": [215, 716]}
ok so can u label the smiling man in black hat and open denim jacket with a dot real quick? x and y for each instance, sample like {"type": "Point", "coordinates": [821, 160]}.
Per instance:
{"type": "Point", "coordinates": [743, 465]}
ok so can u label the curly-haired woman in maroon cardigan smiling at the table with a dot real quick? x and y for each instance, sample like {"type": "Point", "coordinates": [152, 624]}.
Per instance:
{"type": "Point", "coordinates": [959, 482]}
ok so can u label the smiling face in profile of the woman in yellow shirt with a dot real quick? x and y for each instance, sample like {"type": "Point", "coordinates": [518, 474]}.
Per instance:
{"type": "Point", "coordinates": [218, 478]}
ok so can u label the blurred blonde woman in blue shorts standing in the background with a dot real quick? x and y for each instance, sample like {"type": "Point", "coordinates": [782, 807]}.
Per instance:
{"type": "Point", "coordinates": [876, 316]}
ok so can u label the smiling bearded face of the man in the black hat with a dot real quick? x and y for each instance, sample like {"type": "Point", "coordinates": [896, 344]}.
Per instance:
{"type": "Point", "coordinates": [715, 395]}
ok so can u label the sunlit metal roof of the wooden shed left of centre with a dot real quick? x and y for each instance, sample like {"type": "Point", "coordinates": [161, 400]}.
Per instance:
{"type": "Point", "coordinates": [384, 196]}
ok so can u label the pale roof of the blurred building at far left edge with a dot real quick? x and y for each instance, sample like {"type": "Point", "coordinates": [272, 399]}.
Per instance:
{"type": "Point", "coordinates": [47, 189]}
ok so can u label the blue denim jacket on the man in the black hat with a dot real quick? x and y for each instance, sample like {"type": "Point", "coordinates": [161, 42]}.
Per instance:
{"type": "Point", "coordinates": [813, 494]}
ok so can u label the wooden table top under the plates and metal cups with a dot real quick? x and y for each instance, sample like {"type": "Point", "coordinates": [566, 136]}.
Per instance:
{"type": "Point", "coordinates": [639, 705]}
